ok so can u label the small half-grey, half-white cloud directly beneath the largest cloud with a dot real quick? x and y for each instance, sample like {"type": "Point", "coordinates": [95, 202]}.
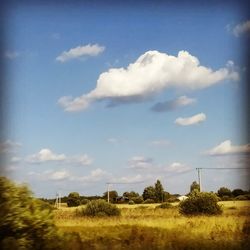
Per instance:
{"type": "Point", "coordinates": [182, 101]}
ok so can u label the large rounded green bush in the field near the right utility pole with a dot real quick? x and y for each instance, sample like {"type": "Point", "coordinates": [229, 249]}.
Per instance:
{"type": "Point", "coordinates": [200, 203]}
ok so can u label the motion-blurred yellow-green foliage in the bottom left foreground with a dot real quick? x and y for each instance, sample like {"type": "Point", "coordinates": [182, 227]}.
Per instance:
{"type": "Point", "coordinates": [26, 222]}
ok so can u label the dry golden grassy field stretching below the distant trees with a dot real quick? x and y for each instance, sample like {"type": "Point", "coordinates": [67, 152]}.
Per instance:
{"type": "Point", "coordinates": [144, 227]}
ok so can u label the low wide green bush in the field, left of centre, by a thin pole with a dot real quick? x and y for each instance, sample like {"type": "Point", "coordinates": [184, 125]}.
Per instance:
{"type": "Point", "coordinates": [101, 208]}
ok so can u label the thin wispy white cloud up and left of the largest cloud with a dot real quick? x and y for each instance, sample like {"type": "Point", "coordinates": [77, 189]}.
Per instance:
{"type": "Point", "coordinates": [80, 52]}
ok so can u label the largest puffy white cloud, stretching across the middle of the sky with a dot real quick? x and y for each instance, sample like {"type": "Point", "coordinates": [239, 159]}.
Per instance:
{"type": "Point", "coordinates": [150, 74]}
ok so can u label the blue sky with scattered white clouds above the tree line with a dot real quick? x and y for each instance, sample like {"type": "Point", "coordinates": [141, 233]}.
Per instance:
{"type": "Point", "coordinates": [53, 51]}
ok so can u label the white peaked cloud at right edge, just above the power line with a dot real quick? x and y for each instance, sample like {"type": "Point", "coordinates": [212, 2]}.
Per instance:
{"type": "Point", "coordinates": [226, 148]}
